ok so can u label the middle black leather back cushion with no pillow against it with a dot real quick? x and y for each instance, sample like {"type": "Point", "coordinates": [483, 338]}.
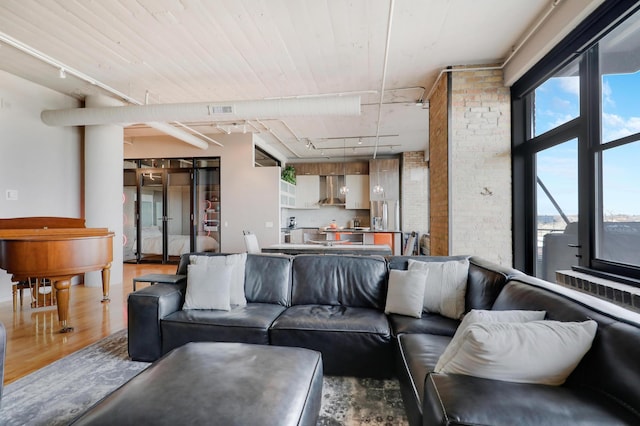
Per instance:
{"type": "Point", "coordinates": [339, 280]}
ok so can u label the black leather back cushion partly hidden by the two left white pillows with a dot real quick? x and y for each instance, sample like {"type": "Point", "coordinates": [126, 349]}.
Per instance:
{"type": "Point", "coordinates": [267, 278]}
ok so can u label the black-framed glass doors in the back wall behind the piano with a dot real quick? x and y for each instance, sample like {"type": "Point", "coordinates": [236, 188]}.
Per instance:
{"type": "Point", "coordinates": [171, 207]}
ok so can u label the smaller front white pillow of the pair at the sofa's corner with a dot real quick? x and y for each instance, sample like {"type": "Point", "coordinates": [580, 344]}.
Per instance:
{"type": "Point", "coordinates": [406, 292]}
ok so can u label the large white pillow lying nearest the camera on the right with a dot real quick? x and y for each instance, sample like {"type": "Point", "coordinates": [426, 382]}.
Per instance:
{"type": "Point", "coordinates": [543, 352]}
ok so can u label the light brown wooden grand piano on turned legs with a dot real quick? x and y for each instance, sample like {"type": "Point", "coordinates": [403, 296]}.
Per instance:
{"type": "Point", "coordinates": [56, 248]}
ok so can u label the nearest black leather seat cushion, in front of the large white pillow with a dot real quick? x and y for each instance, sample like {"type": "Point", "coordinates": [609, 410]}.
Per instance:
{"type": "Point", "coordinates": [452, 399]}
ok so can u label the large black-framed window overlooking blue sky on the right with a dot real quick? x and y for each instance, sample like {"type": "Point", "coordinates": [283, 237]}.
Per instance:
{"type": "Point", "coordinates": [576, 151]}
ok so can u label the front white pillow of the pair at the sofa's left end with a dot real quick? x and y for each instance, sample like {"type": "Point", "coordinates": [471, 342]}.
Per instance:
{"type": "Point", "coordinates": [208, 287]}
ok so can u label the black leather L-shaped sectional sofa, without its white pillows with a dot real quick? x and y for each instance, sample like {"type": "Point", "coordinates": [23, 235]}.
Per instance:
{"type": "Point", "coordinates": [335, 305]}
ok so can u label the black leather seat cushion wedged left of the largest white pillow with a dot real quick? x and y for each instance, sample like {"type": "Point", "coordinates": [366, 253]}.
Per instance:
{"type": "Point", "coordinates": [417, 356]}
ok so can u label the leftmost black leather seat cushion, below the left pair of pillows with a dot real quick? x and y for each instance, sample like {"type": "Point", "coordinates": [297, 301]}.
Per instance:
{"type": "Point", "coordinates": [245, 324]}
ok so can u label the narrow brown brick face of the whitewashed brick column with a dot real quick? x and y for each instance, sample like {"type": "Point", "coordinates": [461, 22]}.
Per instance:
{"type": "Point", "coordinates": [439, 170]}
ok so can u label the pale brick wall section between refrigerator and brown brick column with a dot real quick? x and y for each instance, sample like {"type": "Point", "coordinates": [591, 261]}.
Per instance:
{"type": "Point", "coordinates": [414, 189]}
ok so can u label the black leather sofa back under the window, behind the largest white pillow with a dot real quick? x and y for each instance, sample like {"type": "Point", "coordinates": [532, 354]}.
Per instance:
{"type": "Point", "coordinates": [611, 365]}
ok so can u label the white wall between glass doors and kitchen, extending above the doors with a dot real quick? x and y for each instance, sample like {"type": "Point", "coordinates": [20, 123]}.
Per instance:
{"type": "Point", "coordinates": [249, 195]}
